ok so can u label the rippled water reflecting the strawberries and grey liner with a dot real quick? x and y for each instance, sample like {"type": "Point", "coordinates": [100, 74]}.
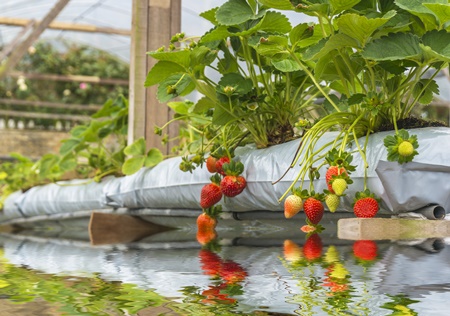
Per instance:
{"type": "Point", "coordinates": [253, 272]}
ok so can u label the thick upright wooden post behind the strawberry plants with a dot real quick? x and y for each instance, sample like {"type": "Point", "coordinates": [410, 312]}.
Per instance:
{"type": "Point", "coordinates": [154, 23]}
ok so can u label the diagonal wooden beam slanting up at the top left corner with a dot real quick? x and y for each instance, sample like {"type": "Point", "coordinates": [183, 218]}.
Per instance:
{"type": "Point", "coordinates": [18, 53]}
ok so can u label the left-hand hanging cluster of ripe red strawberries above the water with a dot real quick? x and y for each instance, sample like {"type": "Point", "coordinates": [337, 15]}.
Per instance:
{"type": "Point", "coordinates": [227, 180]}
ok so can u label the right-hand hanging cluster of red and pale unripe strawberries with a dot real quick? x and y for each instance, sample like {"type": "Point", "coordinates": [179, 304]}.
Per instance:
{"type": "Point", "coordinates": [337, 178]}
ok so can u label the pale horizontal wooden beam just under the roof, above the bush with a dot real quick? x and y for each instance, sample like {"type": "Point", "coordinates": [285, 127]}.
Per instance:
{"type": "Point", "coordinates": [65, 26]}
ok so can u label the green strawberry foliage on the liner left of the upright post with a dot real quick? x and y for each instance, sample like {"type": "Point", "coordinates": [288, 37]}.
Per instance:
{"type": "Point", "coordinates": [93, 150]}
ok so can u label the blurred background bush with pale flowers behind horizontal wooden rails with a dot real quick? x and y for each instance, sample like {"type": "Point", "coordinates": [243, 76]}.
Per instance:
{"type": "Point", "coordinates": [63, 58]}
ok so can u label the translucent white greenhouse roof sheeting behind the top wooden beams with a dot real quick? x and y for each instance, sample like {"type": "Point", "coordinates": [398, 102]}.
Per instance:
{"type": "Point", "coordinates": [110, 14]}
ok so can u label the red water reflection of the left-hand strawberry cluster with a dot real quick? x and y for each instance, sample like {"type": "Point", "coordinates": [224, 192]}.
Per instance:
{"type": "Point", "coordinates": [227, 275]}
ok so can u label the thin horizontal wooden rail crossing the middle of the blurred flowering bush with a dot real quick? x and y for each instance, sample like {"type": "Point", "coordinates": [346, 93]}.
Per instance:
{"type": "Point", "coordinates": [69, 78]}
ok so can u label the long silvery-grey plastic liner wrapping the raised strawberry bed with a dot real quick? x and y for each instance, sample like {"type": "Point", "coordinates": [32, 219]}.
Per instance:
{"type": "Point", "coordinates": [402, 188]}
